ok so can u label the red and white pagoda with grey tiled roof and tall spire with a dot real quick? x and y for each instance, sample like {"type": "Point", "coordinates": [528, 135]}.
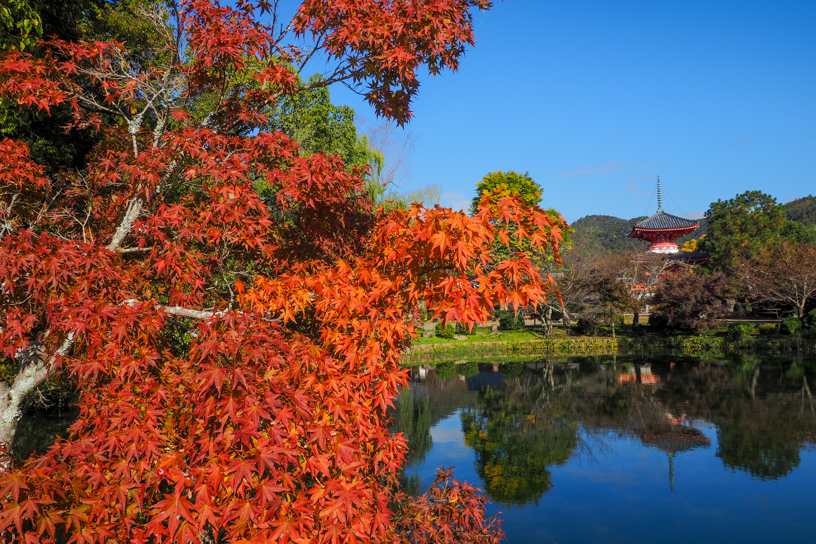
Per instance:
{"type": "Point", "coordinates": [662, 229]}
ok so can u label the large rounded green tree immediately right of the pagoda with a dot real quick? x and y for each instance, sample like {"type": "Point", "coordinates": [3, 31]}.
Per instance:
{"type": "Point", "coordinates": [741, 227]}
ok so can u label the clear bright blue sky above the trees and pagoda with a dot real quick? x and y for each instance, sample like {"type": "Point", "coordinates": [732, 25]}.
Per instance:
{"type": "Point", "coordinates": [597, 98]}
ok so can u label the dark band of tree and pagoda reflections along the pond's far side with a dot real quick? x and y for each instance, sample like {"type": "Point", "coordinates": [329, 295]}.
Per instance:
{"type": "Point", "coordinates": [523, 419]}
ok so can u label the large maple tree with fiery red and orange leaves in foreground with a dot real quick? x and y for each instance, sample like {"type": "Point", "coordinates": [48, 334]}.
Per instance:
{"type": "Point", "coordinates": [233, 311]}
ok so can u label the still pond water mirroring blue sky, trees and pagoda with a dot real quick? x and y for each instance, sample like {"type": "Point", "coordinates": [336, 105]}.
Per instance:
{"type": "Point", "coordinates": [607, 450]}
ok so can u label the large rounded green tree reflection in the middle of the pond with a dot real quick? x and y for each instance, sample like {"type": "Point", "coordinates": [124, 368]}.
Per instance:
{"type": "Point", "coordinates": [516, 439]}
